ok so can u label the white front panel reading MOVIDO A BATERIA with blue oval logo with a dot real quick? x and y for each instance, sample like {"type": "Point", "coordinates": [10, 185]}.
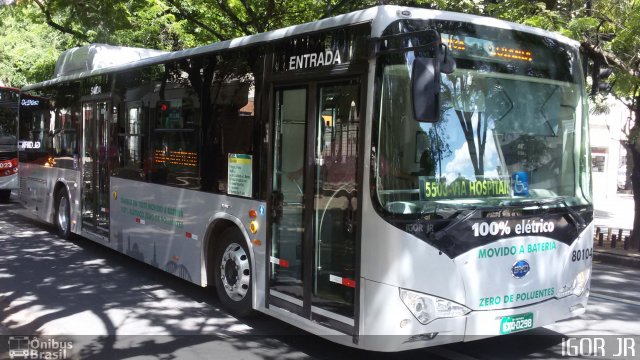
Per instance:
{"type": "Point", "coordinates": [491, 275]}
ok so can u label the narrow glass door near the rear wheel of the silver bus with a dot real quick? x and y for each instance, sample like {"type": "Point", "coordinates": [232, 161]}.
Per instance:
{"type": "Point", "coordinates": [95, 176]}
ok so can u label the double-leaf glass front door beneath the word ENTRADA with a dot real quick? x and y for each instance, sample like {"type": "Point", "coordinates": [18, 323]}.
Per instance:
{"type": "Point", "coordinates": [315, 201]}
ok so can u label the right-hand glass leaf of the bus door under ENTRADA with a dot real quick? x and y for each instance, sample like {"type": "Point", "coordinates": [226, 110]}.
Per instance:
{"type": "Point", "coordinates": [335, 198]}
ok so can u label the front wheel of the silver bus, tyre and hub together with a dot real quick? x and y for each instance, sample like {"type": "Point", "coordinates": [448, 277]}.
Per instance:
{"type": "Point", "coordinates": [232, 273]}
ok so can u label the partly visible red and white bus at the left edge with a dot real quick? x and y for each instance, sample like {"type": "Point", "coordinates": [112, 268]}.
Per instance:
{"type": "Point", "coordinates": [8, 141]}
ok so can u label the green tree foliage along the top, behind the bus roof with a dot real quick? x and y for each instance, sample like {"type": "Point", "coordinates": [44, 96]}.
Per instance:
{"type": "Point", "coordinates": [177, 24]}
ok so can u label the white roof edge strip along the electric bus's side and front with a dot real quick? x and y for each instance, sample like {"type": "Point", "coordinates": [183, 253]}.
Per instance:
{"type": "Point", "coordinates": [380, 17]}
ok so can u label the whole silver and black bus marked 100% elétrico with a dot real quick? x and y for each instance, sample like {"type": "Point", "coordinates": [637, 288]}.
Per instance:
{"type": "Point", "coordinates": [415, 174]}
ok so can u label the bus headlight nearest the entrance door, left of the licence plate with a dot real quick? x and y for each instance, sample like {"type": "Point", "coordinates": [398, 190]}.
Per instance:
{"type": "Point", "coordinates": [427, 308]}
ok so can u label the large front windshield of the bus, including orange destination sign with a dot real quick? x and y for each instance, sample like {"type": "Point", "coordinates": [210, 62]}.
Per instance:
{"type": "Point", "coordinates": [512, 125]}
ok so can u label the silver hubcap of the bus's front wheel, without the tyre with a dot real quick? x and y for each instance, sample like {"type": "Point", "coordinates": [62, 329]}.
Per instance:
{"type": "Point", "coordinates": [235, 272]}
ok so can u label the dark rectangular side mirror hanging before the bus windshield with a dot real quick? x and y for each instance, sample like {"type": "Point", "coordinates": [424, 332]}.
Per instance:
{"type": "Point", "coordinates": [425, 89]}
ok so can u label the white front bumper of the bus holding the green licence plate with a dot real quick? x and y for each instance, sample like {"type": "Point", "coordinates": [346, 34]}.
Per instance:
{"type": "Point", "coordinates": [392, 327]}
